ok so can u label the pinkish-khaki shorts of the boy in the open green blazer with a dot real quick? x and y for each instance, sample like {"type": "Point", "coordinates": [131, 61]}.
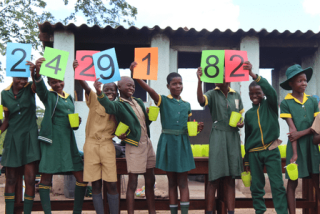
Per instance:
{"type": "Point", "coordinates": [140, 158]}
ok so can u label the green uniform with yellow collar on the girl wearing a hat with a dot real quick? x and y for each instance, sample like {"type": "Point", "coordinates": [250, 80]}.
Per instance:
{"type": "Point", "coordinates": [302, 114]}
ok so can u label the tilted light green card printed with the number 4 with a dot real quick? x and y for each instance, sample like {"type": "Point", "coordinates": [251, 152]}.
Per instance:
{"type": "Point", "coordinates": [55, 64]}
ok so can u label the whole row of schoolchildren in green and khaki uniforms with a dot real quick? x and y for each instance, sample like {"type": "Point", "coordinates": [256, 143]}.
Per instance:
{"type": "Point", "coordinates": [54, 149]}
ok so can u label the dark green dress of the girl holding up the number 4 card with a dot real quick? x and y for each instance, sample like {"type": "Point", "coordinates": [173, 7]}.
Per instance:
{"type": "Point", "coordinates": [62, 155]}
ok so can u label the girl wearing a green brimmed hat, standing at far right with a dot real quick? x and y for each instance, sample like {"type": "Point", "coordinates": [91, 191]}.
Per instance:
{"type": "Point", "coordinates": [299, 110]}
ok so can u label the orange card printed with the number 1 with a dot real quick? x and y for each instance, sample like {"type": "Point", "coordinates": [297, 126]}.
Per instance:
{"type": "Point", "coordinates": [147, 59]}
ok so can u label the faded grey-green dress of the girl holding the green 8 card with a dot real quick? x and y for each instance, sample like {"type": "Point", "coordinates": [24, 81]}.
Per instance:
{"type": "Point", "coordinates": [224, 143]}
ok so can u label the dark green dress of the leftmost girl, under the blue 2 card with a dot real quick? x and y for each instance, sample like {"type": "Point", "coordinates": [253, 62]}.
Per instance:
{"type": "Point", "coordinates": [21, 144]}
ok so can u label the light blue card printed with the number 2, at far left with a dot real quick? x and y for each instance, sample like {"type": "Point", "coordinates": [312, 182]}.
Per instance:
{"type": "Point", "coordinates": [17, 56]}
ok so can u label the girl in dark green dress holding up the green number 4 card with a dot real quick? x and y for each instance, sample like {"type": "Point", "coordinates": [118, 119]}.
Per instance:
{"type": "Point", "coordinates": [59, 151]}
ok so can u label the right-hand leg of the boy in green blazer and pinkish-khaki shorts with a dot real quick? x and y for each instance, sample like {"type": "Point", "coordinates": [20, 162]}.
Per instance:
{"type": "Point", "coordinates": [149, 181]}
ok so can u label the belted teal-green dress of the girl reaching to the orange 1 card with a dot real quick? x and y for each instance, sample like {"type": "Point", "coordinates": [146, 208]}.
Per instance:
{"type": "Point", "coordinates": [174, 150]}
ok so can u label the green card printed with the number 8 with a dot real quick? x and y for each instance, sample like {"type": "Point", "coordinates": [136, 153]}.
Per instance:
{"type": "Point", "coordinates": [212, 63]}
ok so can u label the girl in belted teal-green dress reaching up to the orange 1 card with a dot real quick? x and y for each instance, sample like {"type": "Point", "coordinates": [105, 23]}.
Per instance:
{"type": "Point", "coordinates": [174, 153]}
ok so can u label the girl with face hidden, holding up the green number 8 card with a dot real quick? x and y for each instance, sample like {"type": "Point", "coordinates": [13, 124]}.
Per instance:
{"type": "Point", "coordinates": [225, 160]}
